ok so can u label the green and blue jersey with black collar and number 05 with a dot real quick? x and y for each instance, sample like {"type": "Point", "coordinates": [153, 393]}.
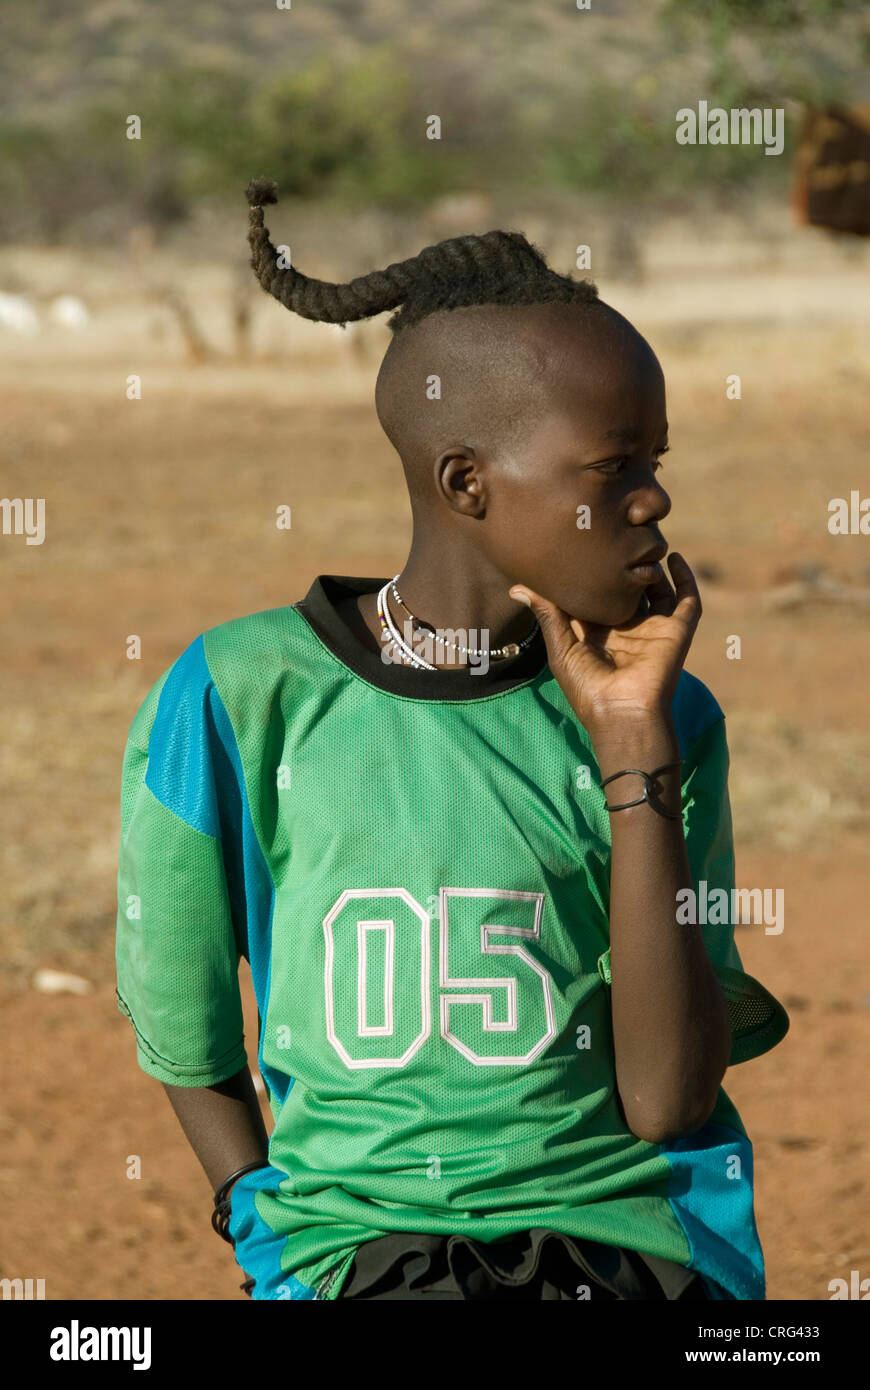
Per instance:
{"type": "Point", "coordinates": [416, 865]}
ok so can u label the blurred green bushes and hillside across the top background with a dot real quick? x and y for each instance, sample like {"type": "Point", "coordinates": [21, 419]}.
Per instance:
{"type": "Point", "coordinates": [345, 122]}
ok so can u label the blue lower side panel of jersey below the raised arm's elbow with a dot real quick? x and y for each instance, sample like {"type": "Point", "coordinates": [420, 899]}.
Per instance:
{"type": "Point", "coordinates": [716, 1211]}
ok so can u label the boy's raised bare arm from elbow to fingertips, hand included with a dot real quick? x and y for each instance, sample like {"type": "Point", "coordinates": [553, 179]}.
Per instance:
{"type": "Point", "coordinates": [672, 1031]}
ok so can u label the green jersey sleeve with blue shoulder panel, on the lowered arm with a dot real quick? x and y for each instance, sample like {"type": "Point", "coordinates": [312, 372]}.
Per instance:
{"type": "Point", "coordinates": [177, 953]}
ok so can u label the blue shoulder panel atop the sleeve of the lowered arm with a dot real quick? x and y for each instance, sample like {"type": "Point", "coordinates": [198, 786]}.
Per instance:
{"type": "Point", "coordinates": [180, 765]}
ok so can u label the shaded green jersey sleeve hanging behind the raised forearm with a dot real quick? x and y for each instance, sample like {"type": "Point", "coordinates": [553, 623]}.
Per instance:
{"type": "Point", "coordinates": [758, 1020]}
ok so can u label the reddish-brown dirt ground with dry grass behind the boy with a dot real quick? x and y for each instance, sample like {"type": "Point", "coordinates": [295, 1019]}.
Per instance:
{"type": "Point", "coordinates": [161, 523]}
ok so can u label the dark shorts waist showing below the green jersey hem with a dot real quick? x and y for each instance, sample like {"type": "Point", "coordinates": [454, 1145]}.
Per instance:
{"type": "Point", "coordinates": [532, 1267]}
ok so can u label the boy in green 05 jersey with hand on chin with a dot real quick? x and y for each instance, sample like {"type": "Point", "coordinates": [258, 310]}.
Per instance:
{"type": "Point", "coordinates": [493, 1046]}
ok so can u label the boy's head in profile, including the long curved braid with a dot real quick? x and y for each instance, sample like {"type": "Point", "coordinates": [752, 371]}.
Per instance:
{"type": "Point", "coordinates": [516, 400]}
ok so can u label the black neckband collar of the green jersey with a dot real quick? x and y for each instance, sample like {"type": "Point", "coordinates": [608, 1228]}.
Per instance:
{"type": "Point", "coordinates": [319, 611]}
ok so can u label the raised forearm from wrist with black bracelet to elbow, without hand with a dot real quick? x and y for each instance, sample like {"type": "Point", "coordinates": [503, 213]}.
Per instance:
{"type": "Point", "coordinates": [671, 1021]}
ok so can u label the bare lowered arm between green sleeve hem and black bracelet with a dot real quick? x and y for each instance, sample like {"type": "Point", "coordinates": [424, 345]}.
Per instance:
{"type": "Point", "coordinates": [223, 1124]}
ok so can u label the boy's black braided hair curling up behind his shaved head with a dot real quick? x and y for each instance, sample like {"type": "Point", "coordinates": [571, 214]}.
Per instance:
{"type": "Point", "coordinates": [494, 269]}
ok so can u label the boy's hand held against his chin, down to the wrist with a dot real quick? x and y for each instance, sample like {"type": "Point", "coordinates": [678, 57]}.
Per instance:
{"type": "Point", "coordinates": [627, 672]}
